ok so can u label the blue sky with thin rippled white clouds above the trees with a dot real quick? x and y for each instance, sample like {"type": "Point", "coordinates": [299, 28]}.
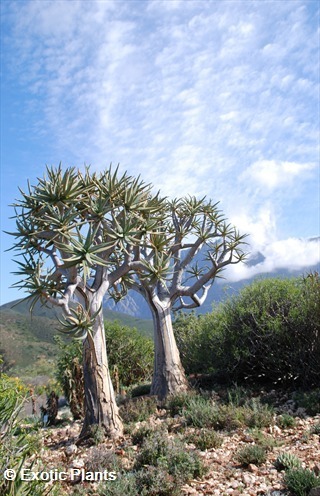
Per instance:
{"type": "Point", "coordinates": [216, 98]}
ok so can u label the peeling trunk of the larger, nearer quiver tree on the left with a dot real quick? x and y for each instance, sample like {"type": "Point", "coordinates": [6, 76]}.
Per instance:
{"type": "Point", "coordinates": [100, 403]}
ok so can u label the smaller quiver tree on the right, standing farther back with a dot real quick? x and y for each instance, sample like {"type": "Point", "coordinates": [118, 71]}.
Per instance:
{"type": "Point", "coordinates": [175, 268]}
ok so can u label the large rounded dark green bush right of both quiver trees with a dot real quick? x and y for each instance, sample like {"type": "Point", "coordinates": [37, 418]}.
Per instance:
{"type": "Point", "coordinates": [268, 333]}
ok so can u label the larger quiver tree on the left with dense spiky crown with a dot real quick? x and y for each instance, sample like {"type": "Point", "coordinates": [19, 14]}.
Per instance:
{"type": "Point", "coordinates": [71, 227]}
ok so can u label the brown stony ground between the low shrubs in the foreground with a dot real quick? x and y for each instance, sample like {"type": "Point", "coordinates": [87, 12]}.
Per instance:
{"type": "Point", "coordinates": [224, 477]}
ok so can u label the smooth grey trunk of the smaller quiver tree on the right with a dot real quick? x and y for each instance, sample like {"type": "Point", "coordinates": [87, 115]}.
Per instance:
{"type": "Point", "coordinates": [168, 376]}
